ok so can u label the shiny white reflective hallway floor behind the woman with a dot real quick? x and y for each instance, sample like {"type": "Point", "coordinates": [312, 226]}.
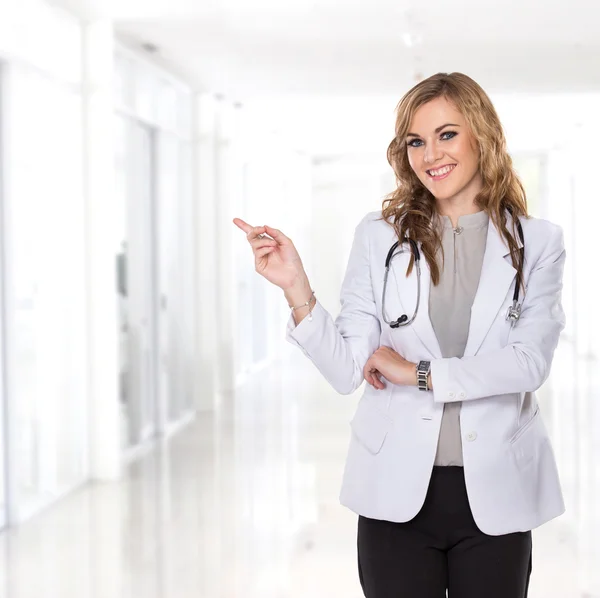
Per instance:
{"type": "Point", "coordinates": [241, 505]}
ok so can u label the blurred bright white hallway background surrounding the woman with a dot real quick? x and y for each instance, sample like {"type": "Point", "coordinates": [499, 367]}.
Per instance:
{"type": "Point", "coordinates": [158, 436]}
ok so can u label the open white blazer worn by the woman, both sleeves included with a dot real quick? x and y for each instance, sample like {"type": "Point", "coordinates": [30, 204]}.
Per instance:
{"type": "Point", "coordinates": [510, 470]}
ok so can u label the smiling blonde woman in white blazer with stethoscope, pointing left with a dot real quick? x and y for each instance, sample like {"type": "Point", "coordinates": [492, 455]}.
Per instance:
{"type": "Point", "coordinates": [449, 466]}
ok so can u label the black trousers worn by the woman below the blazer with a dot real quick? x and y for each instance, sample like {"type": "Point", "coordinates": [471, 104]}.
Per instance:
{"type": "Point", "coordinates": [441, 549]}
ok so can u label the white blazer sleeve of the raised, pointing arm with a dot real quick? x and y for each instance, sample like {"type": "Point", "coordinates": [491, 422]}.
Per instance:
{"type": "Point", "coordinates": [340, 349]}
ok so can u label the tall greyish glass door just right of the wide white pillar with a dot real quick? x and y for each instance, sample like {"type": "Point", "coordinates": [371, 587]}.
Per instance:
{"type": "Point", "coordinates": [136, 293]}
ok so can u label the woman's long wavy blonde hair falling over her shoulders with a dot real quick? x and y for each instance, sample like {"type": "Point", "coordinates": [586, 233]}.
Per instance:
{"type": "Point", "coordinates": [411, 206]}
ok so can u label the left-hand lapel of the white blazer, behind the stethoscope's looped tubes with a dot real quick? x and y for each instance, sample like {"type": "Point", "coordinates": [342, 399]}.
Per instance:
{"type": "Point", "coordinates": [406, 290]}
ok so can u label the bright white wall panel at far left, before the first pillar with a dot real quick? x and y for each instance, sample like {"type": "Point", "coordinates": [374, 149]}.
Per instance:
{"type": "Point", "coordinates": [44, 250]}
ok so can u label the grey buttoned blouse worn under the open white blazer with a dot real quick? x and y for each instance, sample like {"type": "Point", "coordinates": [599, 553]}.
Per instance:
{"type": "Point", "coordinates": [450, 309]}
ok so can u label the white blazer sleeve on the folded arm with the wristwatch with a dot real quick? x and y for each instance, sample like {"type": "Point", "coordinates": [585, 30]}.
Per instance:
{"type": "Point", "coordinates": [523, 365]}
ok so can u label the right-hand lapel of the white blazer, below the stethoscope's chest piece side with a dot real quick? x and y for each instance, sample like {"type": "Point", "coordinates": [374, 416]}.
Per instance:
{"type": "Point", "coordinates": [497, 274]}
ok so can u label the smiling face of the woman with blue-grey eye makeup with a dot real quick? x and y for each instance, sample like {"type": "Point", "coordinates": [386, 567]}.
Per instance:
{"type": "Point", "coordinates": [443, 152]}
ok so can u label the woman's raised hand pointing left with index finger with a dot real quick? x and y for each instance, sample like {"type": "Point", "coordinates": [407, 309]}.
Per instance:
{"type": "Point", "coordinates": [275, 257]}
